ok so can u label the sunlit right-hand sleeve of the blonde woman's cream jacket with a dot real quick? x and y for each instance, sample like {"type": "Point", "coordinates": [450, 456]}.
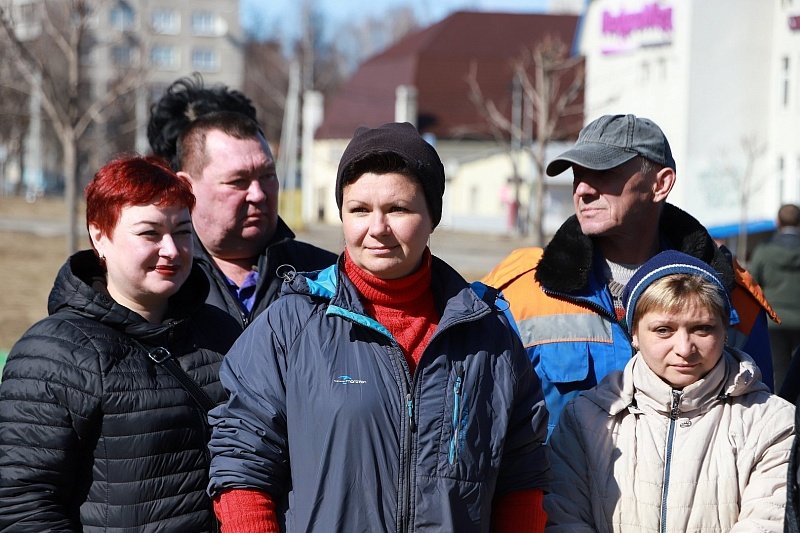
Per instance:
{"type": "Point", "coordinates": [763, 497]}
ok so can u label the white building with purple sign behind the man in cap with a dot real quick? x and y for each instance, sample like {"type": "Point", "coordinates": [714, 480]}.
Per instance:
{"type": "Point", "coordinates": [722, 78]}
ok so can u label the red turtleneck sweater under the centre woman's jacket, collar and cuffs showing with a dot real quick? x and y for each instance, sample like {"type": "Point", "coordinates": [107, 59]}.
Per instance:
{"type": "Point", "coordinates": [406, 308]}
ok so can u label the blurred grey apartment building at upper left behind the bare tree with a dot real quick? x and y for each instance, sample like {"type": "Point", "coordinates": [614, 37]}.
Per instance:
{"type": "Point", "coordinates": [136, 47]}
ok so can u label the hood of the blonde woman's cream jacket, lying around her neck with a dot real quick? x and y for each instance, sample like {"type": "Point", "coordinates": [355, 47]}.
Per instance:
{"type": "Point", "coordinates": [638, 387]}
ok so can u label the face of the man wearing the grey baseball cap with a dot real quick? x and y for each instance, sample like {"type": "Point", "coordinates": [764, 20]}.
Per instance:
{"type": "Point", "coordinates": [615, 201]}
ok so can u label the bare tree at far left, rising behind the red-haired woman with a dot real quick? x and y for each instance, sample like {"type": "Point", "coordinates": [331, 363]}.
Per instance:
{"type": "Point", "coordinates": [55, 63]}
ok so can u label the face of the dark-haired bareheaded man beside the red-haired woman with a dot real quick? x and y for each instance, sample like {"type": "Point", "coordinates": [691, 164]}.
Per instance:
{"type": "Point", "coordinates": [237, 196]}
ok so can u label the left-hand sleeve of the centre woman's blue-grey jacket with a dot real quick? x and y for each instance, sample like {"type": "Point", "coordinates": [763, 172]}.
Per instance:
{"type": "Point", "coordinates": [249, 442]}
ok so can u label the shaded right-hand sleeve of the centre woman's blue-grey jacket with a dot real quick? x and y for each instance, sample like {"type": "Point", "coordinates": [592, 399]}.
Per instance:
{"type": "Point", "coordinates": [525, 464]}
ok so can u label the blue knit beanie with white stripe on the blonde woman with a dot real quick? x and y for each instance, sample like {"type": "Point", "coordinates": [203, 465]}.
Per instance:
{"type": "Point", "coordinates": [665, 264]}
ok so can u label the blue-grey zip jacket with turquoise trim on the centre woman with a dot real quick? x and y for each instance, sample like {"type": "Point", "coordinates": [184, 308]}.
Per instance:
{"type": "Point", "coordinates": [324, 415]}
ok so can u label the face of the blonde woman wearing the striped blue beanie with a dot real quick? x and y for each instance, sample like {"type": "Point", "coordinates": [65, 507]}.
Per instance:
{"type": "Point", "coordinates": [681, 347]}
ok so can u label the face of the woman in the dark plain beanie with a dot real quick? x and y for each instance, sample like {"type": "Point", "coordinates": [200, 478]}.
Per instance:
{"type": "Point", "coordinates": [386, 224]}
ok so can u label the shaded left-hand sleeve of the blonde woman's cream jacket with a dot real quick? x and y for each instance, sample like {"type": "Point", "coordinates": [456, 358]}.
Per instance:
{"type": "Point", "coordinates": [569, 504]}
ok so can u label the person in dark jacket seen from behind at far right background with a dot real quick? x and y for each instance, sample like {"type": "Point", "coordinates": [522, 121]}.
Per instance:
{"type": "Point", "coordinates": [775, 265]}
